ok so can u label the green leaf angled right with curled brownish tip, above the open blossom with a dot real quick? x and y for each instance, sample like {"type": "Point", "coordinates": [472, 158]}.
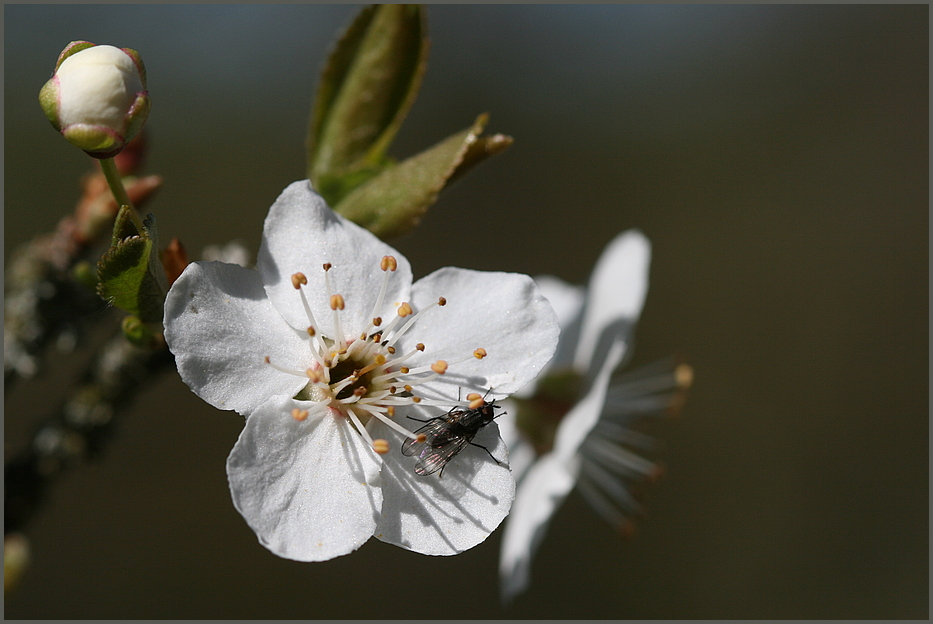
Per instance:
{"type": "Point", "coordinates": [393, 202]}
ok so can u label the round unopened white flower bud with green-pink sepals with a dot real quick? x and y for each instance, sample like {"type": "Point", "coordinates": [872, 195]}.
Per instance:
{"type": "Point", "coordinates": [97, 97]}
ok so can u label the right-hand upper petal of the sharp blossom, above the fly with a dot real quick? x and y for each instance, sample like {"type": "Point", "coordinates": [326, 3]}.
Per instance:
{"type": "Point", "coordinates": [502, 313]}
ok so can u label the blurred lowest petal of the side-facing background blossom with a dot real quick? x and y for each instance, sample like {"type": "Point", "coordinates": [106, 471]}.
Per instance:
{"type": "Point", "coordinates": [542, 491]}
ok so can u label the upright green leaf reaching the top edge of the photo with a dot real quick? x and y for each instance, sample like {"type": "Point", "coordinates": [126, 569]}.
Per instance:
{"type": "Point", "coordinates": [366, 89]}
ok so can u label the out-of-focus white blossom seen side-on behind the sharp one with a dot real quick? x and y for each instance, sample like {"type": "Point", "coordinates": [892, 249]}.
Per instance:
{"type": "Point", "coordinates": [570, 427]}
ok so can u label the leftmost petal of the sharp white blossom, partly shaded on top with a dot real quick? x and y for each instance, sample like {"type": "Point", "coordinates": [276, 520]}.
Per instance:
{"type": "Point", "coordinates": [220, 325]}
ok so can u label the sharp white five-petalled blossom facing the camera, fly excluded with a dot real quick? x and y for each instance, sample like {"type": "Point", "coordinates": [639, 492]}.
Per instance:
{"type": "Point", "coordinates": [326, 348]}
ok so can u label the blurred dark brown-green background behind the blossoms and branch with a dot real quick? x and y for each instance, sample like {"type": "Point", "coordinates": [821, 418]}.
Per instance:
{"type": "Point", "coordinates": [776, 156]}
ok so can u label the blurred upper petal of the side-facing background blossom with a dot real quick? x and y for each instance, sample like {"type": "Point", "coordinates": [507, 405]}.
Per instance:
{"type": "Point", "coordinates": [615, 295]}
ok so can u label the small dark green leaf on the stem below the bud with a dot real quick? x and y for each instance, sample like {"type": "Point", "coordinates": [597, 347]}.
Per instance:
{"type": "Point", "coordinates": [130, 272]}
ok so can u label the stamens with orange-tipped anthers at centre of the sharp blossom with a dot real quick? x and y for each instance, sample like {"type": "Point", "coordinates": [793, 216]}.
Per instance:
{"type": "Point", "coordinates": [363, 376]}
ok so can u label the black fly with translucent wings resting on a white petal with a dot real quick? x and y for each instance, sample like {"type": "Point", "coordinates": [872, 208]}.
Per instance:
{"type": "Point", "coordinates": [447, 435]}
